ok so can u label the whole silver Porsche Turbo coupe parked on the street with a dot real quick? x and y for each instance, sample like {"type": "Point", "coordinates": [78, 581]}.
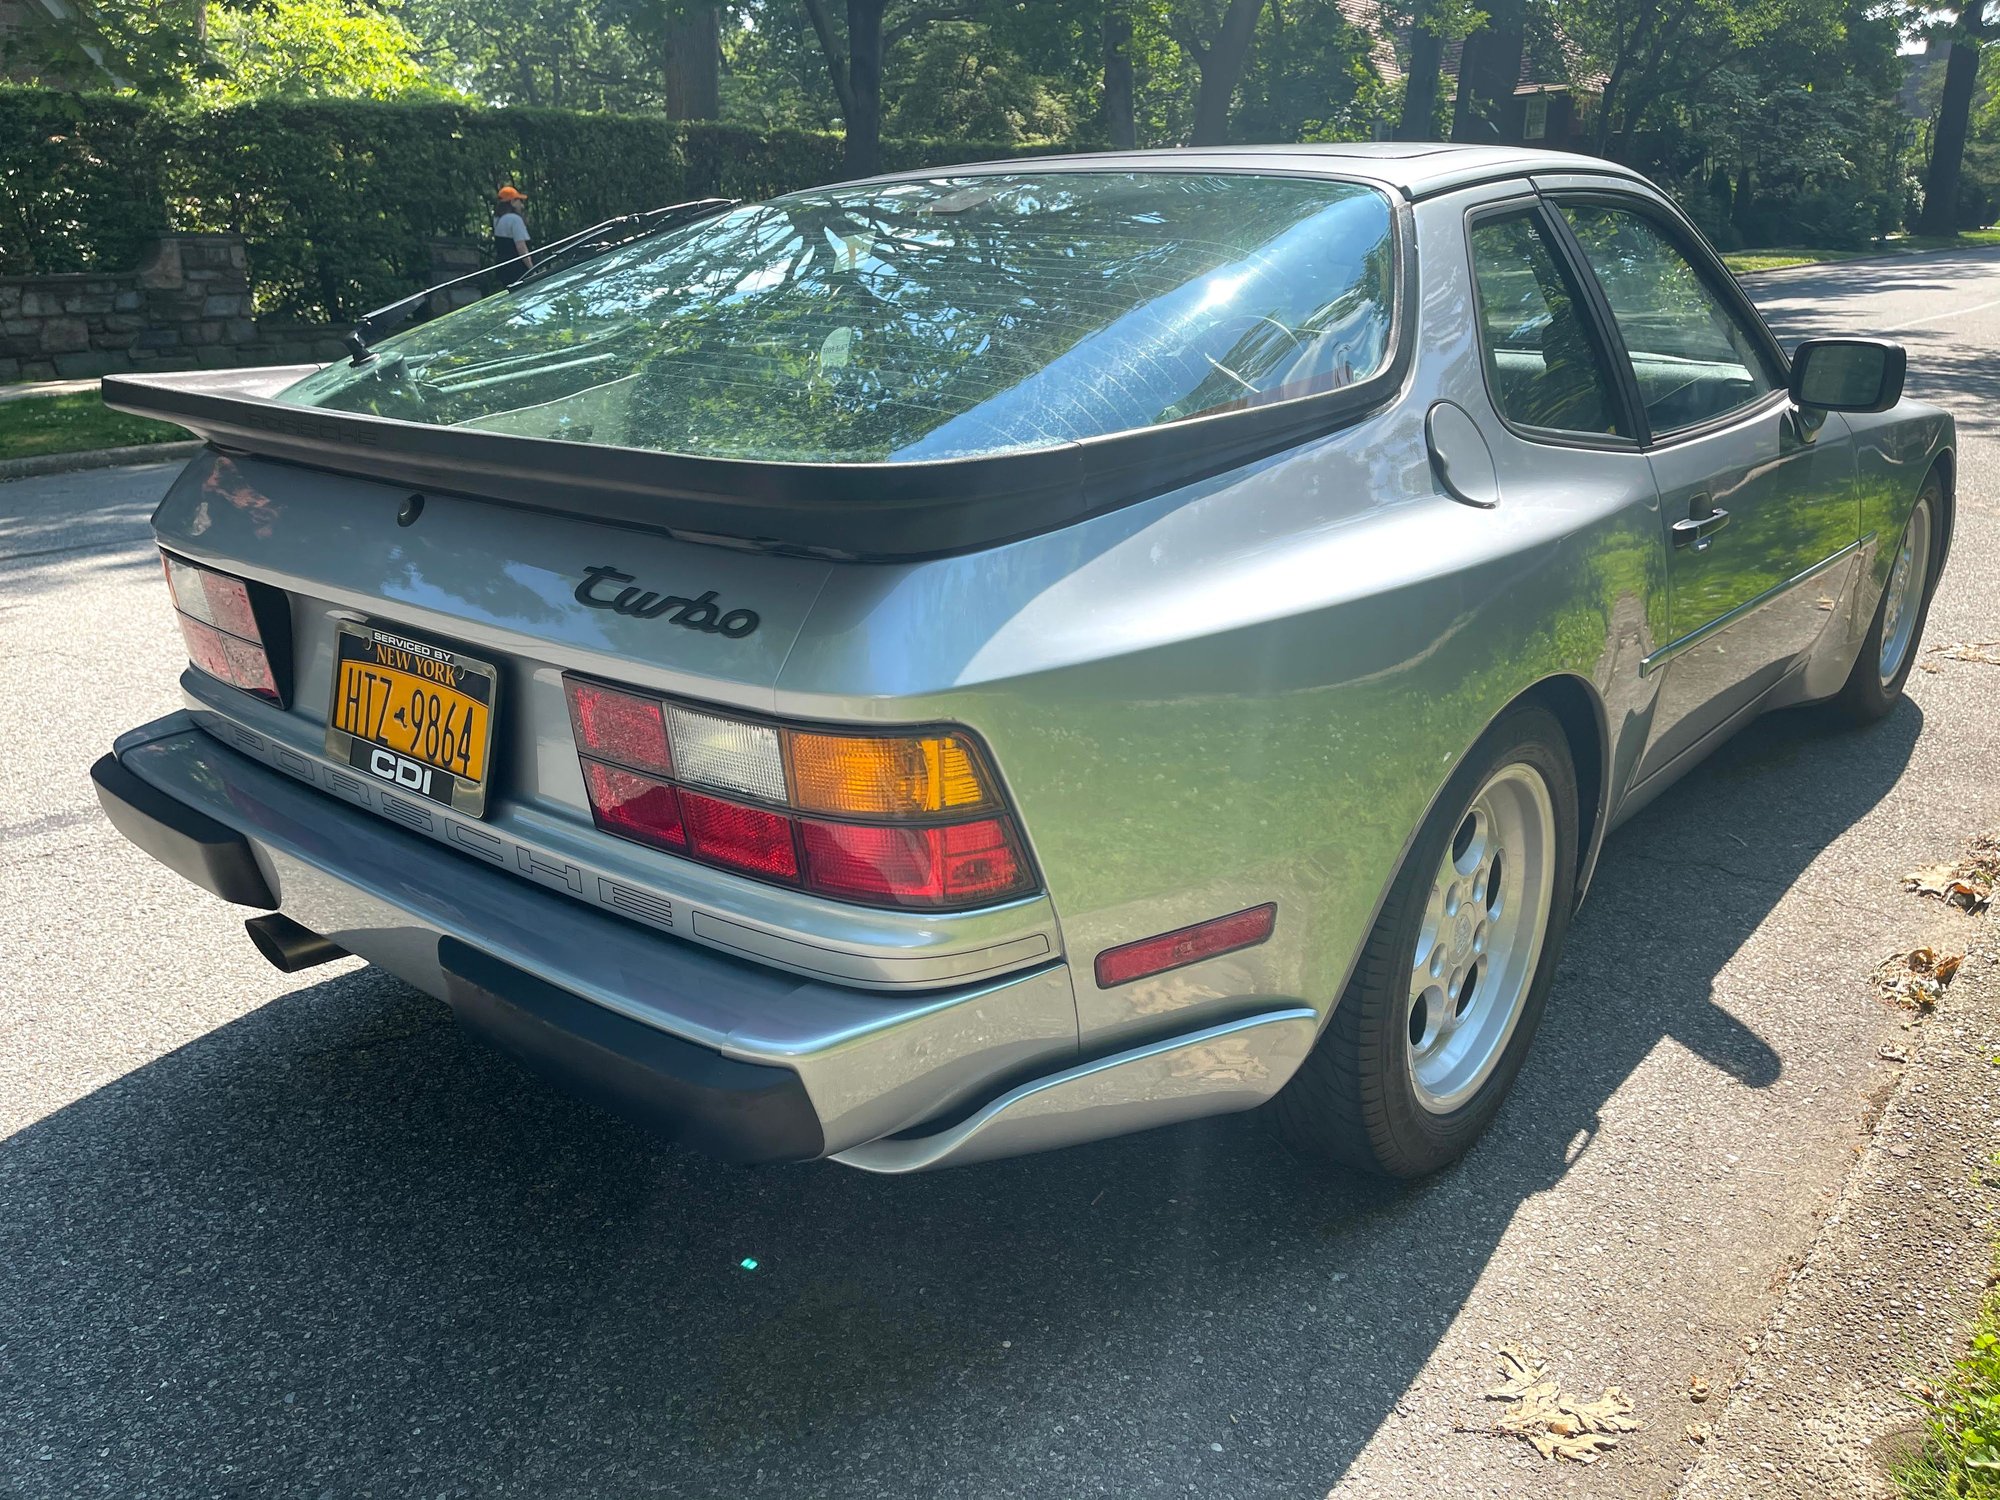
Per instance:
{"type": "Point", "coordinates": [979, 661]}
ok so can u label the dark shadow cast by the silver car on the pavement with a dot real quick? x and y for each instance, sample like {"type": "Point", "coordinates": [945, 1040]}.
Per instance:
{"type": "Point", "coordinates": [337, 1247]}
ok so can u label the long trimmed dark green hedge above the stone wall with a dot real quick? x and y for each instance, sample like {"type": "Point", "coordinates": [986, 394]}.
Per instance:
{"type": "Point", "coordinates": [339, 201]}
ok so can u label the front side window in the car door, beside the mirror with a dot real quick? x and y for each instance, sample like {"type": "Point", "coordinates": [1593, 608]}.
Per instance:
{"type": "Point", "coordinates": [1691, 351]}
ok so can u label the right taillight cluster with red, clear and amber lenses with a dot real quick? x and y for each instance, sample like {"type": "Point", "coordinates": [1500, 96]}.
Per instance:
{"type": "Point", "coordinates": [877, 819]}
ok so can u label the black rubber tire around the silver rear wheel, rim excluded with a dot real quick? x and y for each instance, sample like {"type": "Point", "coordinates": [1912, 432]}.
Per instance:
{"type": "Point", "coordinates": [1353, 1101]}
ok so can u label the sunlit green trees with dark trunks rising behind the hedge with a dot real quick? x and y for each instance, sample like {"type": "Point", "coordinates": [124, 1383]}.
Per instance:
{"type": "Point", "coordinates": [1771, 119]}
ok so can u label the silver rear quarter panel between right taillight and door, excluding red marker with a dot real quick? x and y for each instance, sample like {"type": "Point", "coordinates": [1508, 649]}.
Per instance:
{"type": "Point", "coordinates": [1253, 689]}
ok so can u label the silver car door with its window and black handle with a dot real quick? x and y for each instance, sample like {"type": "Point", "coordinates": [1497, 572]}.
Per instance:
{"type": "Point", "coordinates": [1757, 497]}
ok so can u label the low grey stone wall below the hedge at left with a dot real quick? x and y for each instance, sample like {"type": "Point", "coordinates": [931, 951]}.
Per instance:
{"type": "Point", "coordinates": [187, 309]}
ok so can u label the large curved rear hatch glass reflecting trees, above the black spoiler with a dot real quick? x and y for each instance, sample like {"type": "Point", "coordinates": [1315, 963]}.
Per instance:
{"type": "Point", "coordinates": [919, 321]}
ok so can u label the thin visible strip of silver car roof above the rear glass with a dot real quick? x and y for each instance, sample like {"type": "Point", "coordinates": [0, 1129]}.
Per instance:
{"type": "Point", "coordinates": [1417, 169]}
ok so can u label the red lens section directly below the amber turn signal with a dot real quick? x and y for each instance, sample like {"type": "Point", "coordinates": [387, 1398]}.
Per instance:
{"type": "Point", "coordinates": [957, 865]}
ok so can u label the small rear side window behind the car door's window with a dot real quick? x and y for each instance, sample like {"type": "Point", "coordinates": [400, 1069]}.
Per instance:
{"type": "Point", "coordinates": [1543, 365]}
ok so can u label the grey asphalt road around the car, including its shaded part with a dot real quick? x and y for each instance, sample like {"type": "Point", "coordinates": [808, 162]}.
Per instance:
{"type": "Point", "coordinates": [269, 1235]}
